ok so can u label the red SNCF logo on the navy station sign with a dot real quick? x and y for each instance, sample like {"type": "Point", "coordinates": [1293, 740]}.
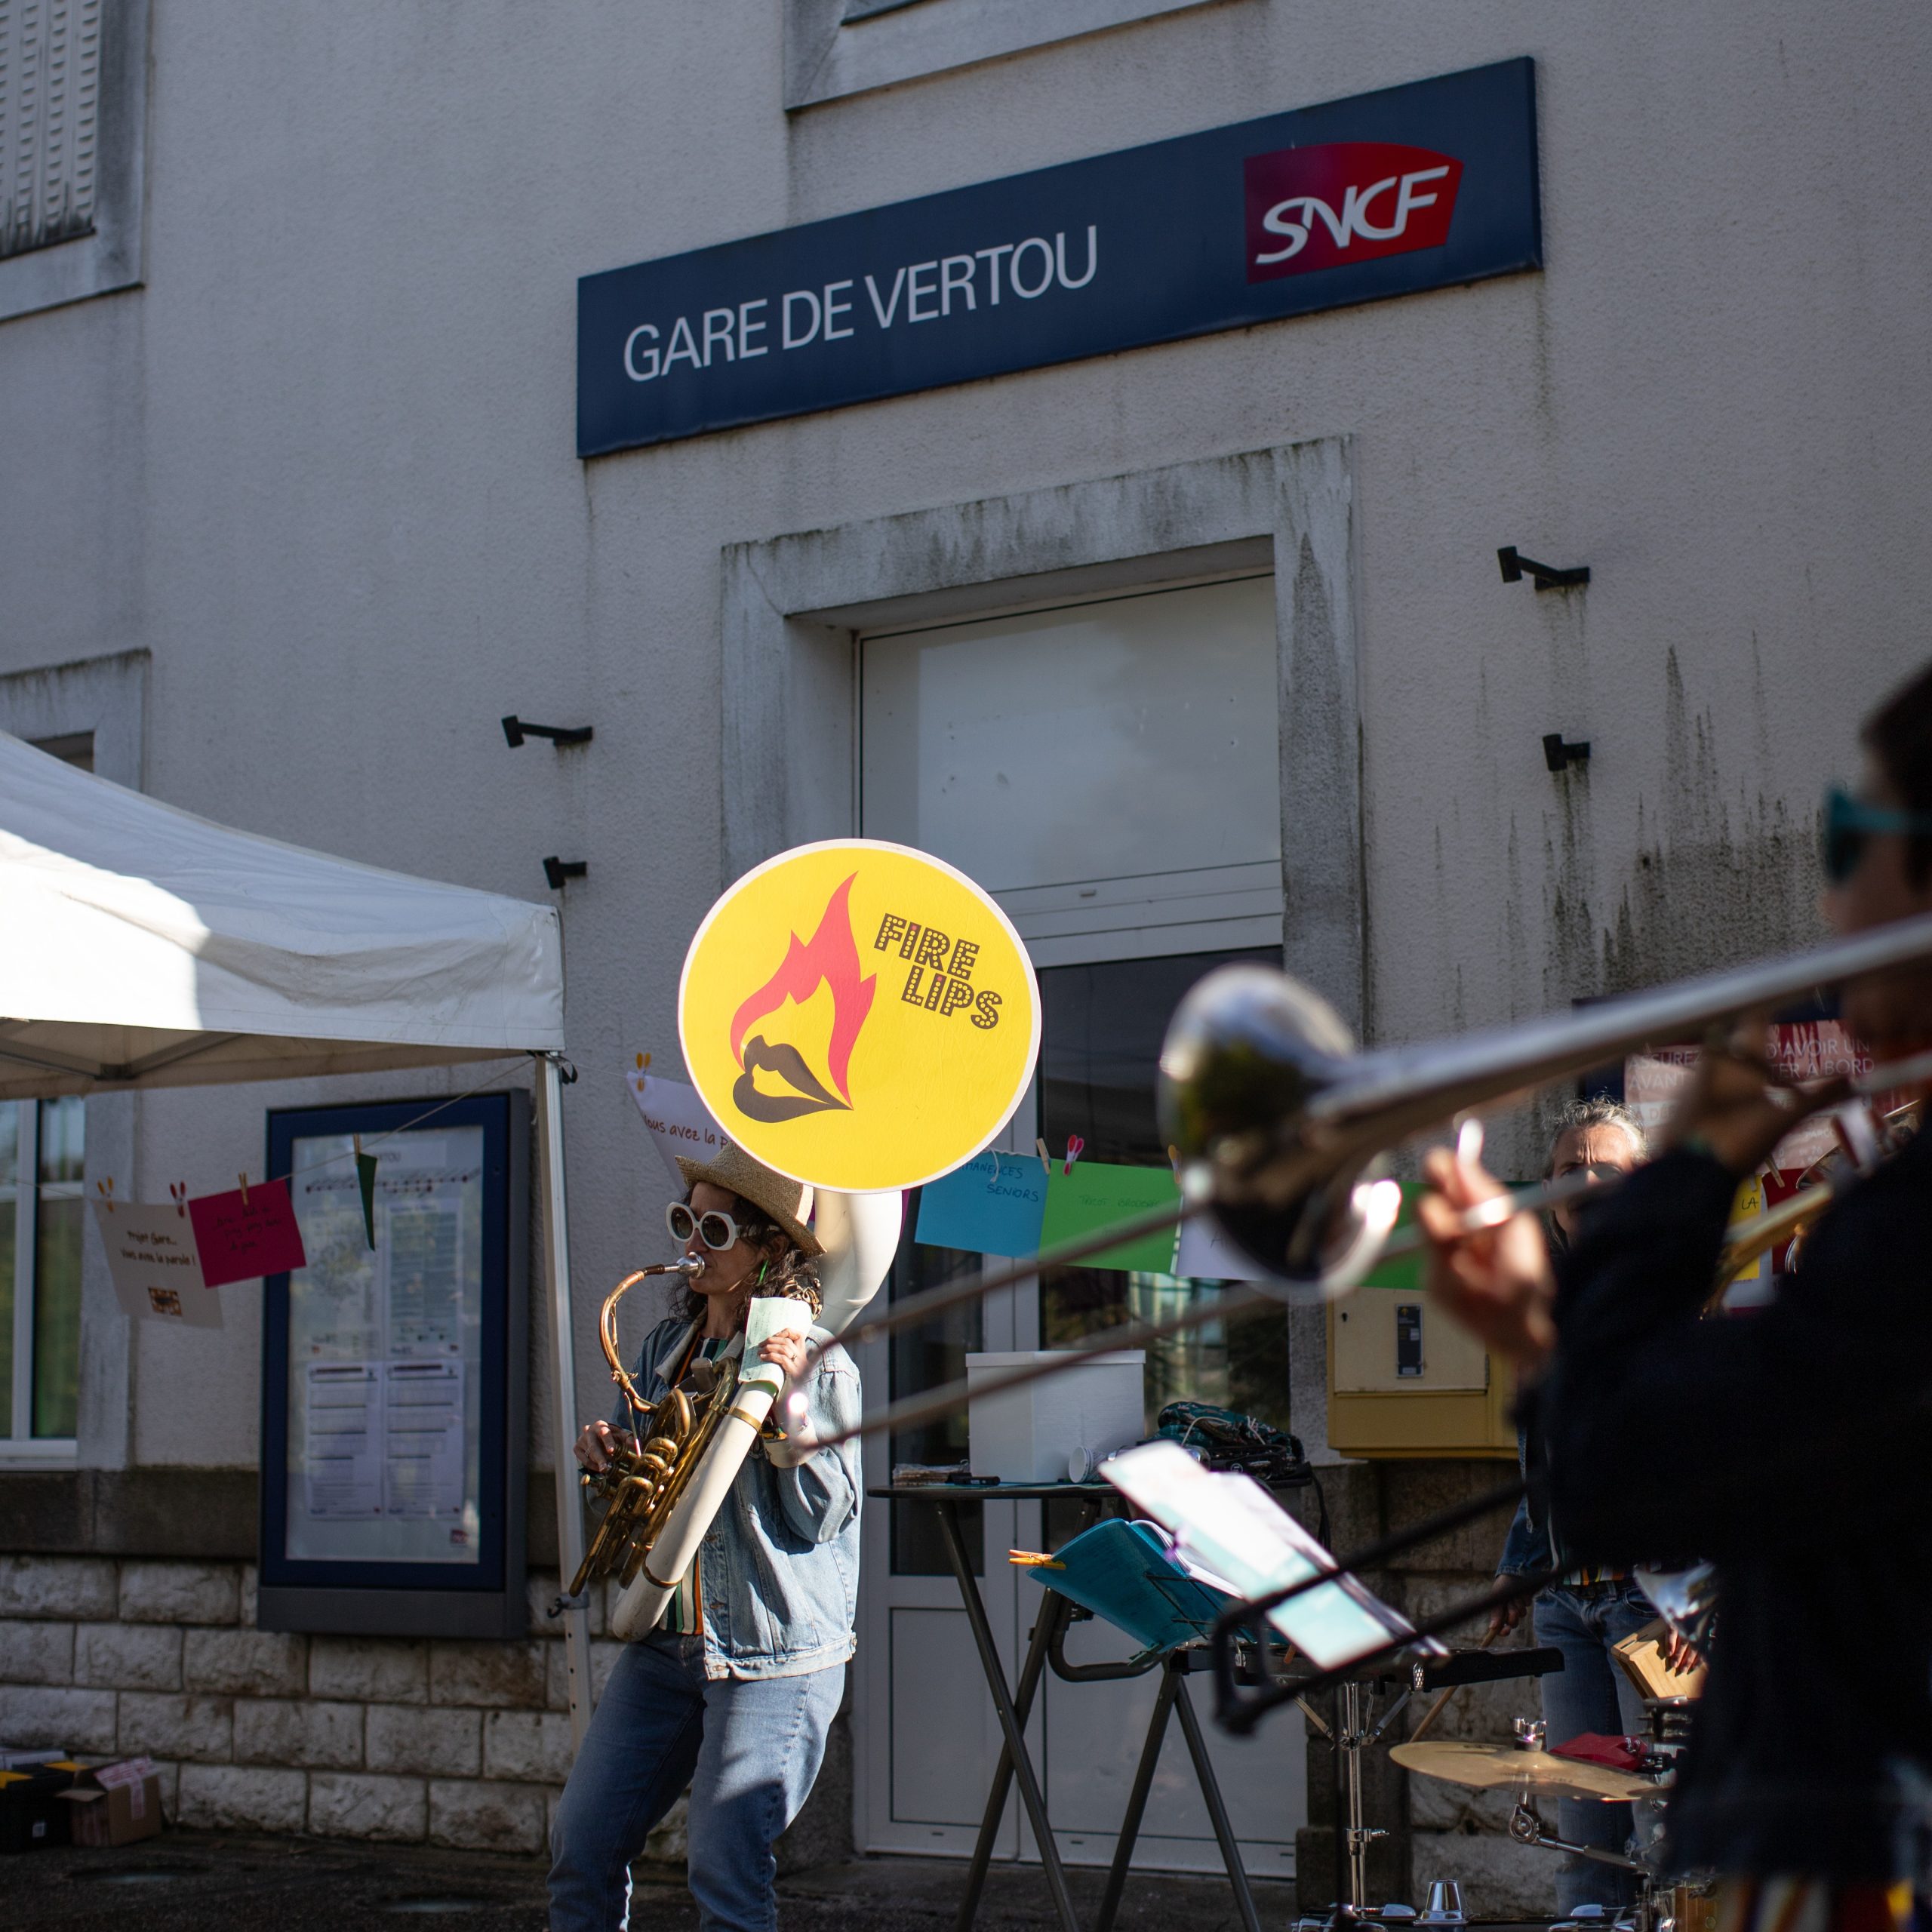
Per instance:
{"type": "Point", "coordinates": [1322, 208]}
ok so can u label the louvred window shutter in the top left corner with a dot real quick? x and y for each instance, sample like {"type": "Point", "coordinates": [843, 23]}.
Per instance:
{"type": "Point", "coordinates": [49, 121]}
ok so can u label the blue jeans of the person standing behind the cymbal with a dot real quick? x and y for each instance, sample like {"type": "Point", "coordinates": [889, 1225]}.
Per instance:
{"type": "Point", "coordinates": [1593, 1693]}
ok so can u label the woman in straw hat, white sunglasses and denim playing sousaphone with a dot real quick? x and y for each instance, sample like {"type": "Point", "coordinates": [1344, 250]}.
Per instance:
{"type": "Point", "coordinates": [737, 1690]}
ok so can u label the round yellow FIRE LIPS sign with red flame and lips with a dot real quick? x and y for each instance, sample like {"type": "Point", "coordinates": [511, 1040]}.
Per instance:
{"type": "Point", "coordinates": [859, 1015]}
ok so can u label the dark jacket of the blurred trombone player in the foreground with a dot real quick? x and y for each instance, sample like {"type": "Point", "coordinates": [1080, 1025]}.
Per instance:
{"type": "Point", "coordinates": [1794, 1448]}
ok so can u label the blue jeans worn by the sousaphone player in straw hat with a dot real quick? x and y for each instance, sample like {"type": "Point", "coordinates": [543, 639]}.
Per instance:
{"type": "Point", "coordinates": [747, 1747]}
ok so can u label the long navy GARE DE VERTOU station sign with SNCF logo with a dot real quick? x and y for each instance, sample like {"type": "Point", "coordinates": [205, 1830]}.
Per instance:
{"type": "Point", "coordinates": [1413, 188]}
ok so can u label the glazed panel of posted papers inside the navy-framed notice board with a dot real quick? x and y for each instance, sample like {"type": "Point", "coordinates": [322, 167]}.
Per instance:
{"type": "Point", "coordinates": [385, 1351]}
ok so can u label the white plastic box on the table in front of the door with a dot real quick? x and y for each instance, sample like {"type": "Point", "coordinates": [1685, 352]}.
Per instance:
{"type": "Point", "coordinates": [1031, 1435]}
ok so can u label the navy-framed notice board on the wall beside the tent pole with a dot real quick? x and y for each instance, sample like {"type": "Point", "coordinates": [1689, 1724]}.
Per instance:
{"type": "Point", "coordinates": [395, 1404]}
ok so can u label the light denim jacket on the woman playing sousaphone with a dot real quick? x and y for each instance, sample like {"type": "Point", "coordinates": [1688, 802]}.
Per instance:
{"type": "Point", "coordinates": [780, 1564]}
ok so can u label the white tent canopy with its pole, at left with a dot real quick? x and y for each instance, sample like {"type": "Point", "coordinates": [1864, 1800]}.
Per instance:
{"type": "Point", "coordinates": [144, 948]}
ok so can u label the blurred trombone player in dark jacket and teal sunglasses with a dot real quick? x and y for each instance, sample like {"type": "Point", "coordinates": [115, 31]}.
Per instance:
{"type": "Point", "coordinates": [1790, 1444]}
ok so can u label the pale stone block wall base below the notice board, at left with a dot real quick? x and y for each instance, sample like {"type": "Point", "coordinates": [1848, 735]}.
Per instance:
{"type": "Point", "coordinates": [424, 1742]}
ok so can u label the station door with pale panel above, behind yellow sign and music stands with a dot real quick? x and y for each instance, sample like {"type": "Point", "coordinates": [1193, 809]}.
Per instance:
{"type": "Point", "coordinates": [1110, 772]}
